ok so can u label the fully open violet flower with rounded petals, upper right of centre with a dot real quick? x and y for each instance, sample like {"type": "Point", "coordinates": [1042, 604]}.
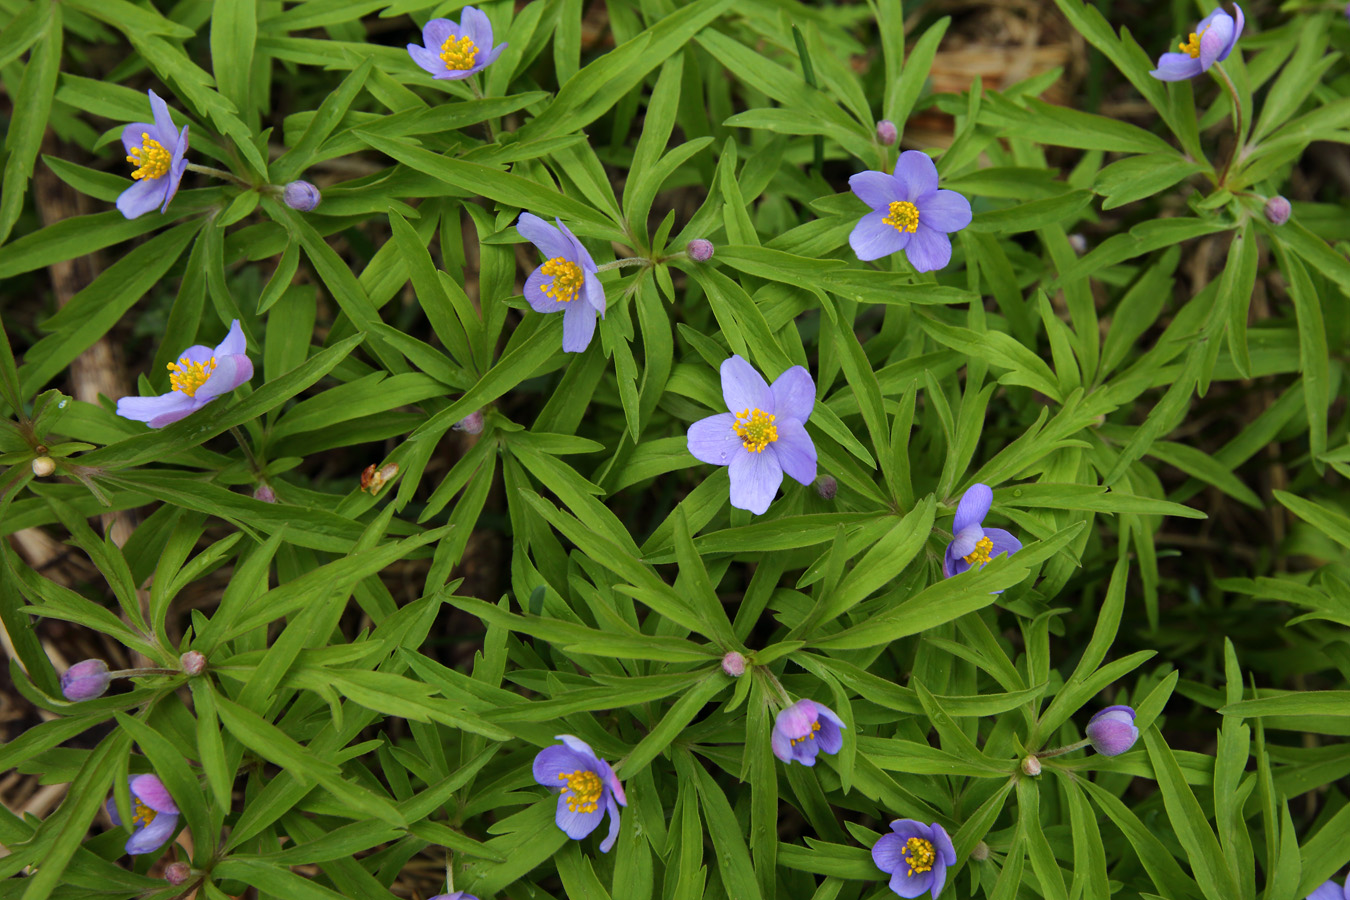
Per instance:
{"type": "Point", "coordinates": [909, 214]}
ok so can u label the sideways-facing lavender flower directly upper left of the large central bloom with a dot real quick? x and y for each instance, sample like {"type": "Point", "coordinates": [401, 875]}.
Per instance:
{"type": "Point", "coordinates": [568, 276]}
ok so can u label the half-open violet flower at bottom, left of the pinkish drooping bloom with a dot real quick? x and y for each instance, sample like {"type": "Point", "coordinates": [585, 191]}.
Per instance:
{"type": "Point", "coordinates": [589, 789]}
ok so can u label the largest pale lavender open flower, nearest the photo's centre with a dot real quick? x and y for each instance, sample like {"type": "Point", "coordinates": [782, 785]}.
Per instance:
{"type": "Point", "coordinates": [762, 437]}
